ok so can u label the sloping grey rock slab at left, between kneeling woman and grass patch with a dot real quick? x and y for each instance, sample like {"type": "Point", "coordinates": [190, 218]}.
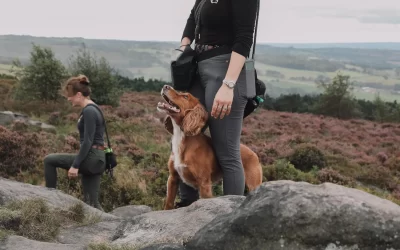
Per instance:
{"type": "Point", "coordinates": [15, 191]}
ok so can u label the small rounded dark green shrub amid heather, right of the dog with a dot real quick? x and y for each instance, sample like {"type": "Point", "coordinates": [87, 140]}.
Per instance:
{"type": "Point", "coordinates": [306, 156]}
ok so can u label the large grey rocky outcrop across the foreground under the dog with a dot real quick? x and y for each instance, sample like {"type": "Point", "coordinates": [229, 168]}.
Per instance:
{"type": "Point", "coordinates": [278, 215]}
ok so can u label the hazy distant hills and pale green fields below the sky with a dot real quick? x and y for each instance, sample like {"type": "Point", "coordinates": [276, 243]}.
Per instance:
{"type": "Point", "coordinates": [287, 68]}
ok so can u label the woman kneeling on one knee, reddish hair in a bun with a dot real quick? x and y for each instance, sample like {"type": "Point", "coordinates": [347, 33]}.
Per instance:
{"type": "Point", "coordinates": [90, 160]}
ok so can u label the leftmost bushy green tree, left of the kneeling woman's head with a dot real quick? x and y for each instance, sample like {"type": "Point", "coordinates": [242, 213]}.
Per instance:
{"type": "Point", "coordinates": [41, 79]}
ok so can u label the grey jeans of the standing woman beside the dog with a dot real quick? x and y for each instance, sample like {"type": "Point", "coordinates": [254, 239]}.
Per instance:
{"type": "Point", "coordinates": [225, 132]}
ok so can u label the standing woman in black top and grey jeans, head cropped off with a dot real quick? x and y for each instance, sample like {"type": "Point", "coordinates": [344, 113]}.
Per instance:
{"type": "Point", "coordinates": [223, 41]}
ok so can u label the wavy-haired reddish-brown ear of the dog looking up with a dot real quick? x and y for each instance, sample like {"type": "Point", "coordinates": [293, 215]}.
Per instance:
{"type": "Point", "coordinates": [194, 120]}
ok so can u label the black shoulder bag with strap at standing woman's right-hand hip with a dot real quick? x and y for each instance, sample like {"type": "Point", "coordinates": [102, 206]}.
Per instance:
{"type": "Point", "coordinates": [254, 103]}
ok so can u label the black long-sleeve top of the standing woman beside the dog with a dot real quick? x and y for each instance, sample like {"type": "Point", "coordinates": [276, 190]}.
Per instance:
{"type": "Point", "coordinates": [228, 22]}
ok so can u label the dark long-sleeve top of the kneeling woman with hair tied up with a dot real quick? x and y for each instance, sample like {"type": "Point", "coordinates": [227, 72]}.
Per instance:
{"type": "Point", "coordinates": [91, 129]}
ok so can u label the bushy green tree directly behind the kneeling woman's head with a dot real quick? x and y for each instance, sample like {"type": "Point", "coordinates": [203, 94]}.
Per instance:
{"type": "Point", "coordinates": [103, 78]}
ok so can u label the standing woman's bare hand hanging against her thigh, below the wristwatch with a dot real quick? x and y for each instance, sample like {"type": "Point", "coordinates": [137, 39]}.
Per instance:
{"type": "Point", "coordinates": [222, 102]}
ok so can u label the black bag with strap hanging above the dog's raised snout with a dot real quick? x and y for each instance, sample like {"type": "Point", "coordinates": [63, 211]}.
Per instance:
{"type": "Point", "coordinates": [184, 68]}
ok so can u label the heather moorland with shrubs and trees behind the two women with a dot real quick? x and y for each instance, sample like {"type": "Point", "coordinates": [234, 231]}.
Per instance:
{"type": "Point", "coordinates": [333, 144]}
